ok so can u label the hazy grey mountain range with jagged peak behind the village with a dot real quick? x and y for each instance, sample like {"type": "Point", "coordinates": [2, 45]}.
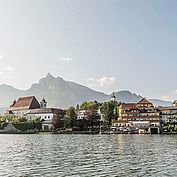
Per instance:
{"type": "Point", "coordinates": [61, 93]}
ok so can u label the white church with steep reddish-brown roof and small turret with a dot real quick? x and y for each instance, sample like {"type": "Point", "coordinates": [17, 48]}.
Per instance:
{"type": "Point", "coordinates": [30, 108]}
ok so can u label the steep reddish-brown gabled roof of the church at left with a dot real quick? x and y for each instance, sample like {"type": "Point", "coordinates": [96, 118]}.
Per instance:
{"type": "Point", "coordinates": [25, 103]}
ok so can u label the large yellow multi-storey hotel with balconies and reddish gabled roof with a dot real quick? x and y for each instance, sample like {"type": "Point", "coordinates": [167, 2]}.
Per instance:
{"type": "Point", "coordinates": [141, 115]}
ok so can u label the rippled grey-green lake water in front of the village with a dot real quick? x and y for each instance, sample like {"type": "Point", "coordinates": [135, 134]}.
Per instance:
{"type": "Point", "coordinates": [88, 155]}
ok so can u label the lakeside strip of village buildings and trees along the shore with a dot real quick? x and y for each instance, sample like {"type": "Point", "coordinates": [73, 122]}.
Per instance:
{"type": "Point", "coordinates": [107, 117]}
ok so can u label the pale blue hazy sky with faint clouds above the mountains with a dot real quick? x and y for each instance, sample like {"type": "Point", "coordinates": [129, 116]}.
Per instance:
{"type": "Point", "coordinates": [107, 45]}
